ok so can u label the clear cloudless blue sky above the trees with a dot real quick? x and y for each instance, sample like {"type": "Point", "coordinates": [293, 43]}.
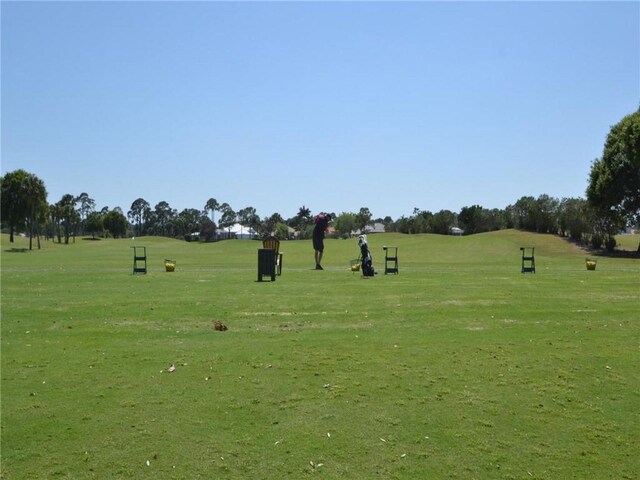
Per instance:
{"type": "Point", "coordinates": [335, 106]}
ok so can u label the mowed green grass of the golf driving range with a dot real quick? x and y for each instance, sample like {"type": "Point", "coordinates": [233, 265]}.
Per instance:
{"type": "Point", "coordinates": [458, 367]}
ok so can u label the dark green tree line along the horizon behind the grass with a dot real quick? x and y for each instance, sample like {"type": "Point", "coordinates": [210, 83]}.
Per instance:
{"type": "Point", "coordinates": [612, 203]}
